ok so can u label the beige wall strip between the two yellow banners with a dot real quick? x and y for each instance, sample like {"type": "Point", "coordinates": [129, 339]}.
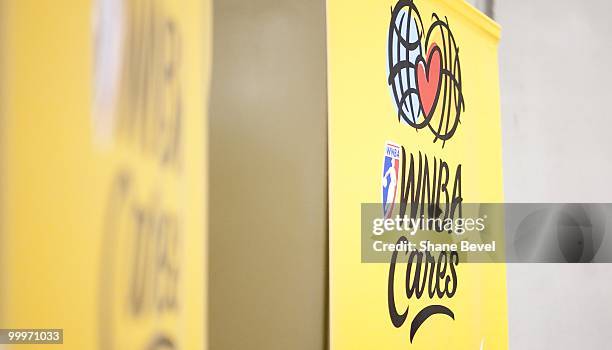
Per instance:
{"type": "Point", "coordinates": [268, 189]}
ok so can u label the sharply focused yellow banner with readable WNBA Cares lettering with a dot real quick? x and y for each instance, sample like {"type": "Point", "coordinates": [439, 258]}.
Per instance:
{"type": "Point", "coordinates": [414, 121]}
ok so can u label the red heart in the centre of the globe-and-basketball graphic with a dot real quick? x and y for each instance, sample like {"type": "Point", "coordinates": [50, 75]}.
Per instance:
{"type": "Point", "coordinates": [428, 79]}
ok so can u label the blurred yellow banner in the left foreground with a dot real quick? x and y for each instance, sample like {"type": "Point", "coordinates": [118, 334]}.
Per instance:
{"type": "Point", "coordinates": [102, 199]}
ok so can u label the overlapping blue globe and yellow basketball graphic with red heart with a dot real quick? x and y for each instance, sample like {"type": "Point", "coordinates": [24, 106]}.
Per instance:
{"type": "Point", "coordinates": [424, 72]}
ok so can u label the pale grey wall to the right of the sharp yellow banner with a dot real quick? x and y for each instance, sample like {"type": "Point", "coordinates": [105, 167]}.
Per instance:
{"type": "Point", "coordinates": [554, 68]}
